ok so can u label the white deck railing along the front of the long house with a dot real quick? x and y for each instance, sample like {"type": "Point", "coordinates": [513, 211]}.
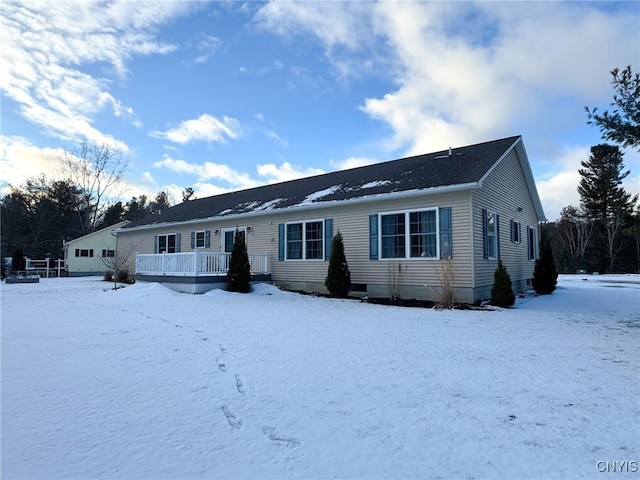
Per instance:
{"type": "Point", "coordinates": [195, 264]}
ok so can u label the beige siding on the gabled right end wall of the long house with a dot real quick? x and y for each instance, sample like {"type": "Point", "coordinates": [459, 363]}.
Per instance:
{"type": "Point", "coordinates": [504, 191]}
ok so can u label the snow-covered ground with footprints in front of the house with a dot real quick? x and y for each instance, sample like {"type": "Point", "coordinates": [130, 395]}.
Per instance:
{"type": "Point", "coordinates": [148, 383]}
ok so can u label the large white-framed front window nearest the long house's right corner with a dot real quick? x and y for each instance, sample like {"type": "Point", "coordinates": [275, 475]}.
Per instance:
{"type": "Point", "coordinates": [409, 234]}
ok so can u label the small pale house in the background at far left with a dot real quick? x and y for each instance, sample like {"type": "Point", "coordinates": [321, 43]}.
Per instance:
{"type": "Point", "coordinates": [92, 254]}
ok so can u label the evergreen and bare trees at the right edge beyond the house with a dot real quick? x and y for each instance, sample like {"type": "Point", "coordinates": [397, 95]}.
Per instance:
{"type": "Point", "coordinates": [602, 233]}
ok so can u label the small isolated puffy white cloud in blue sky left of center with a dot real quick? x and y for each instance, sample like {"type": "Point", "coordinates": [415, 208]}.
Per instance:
{"type": "Point", "coordinates": [205, 127]}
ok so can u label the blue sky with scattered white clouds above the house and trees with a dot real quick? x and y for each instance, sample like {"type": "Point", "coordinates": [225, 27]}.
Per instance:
{"type": "Point", "coordinates": [227, 95]}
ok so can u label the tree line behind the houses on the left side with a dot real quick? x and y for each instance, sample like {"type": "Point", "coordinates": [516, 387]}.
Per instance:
{"type": "Point", "coordinates": [38, 216]}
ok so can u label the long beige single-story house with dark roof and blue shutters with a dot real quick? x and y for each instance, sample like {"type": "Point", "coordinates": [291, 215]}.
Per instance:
{"type": "Point", "coordinates": [399, 220]}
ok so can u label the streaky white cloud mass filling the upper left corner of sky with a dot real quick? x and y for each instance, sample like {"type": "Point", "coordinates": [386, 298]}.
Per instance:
{"type": "Point", "coordinates": [44, 46]}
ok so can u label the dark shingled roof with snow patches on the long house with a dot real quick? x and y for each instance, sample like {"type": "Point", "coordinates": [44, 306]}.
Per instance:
{"type": "Point", "coordinates": [466, 165]}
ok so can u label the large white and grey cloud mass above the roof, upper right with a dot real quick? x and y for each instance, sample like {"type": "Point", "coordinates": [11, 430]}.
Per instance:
{"type": "Point", "coordinates": [468, 72]}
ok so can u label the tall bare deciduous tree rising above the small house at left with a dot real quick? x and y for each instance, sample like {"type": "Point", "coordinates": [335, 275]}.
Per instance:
{"type": "Point", "coordinates": [97, 170]}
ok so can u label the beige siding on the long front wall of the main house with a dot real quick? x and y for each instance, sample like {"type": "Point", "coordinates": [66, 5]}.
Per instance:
{"type": "Point", "coordinates": [352, 220]}
